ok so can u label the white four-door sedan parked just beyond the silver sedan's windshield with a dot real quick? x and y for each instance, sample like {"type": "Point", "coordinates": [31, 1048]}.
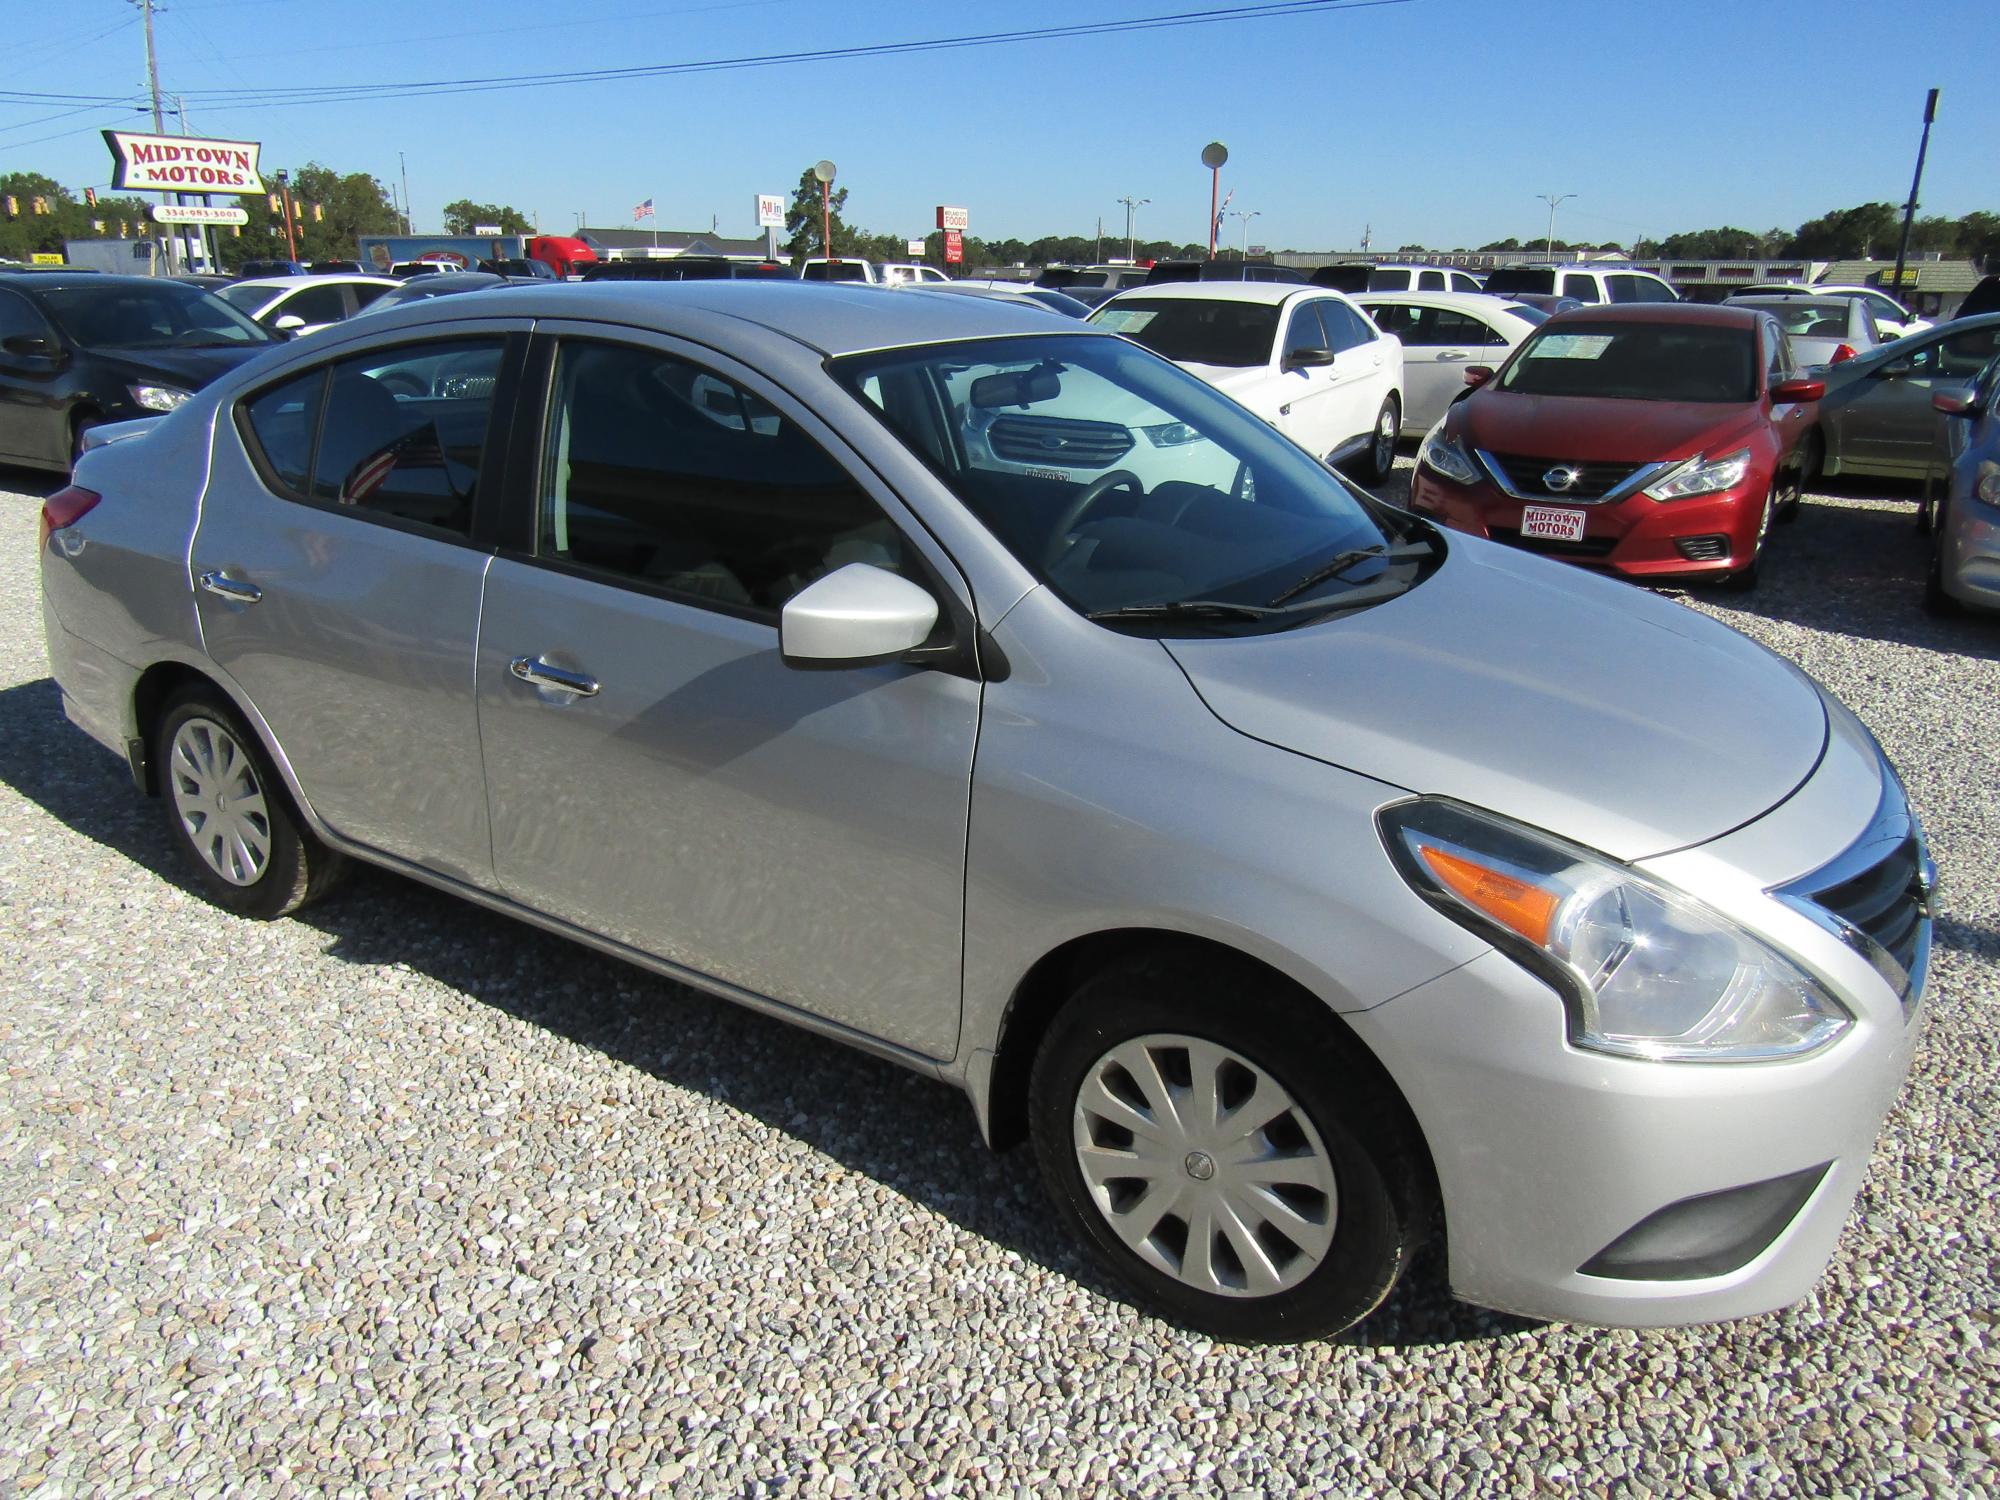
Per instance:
{"type": "Point", "coordinates": [1301, 357]}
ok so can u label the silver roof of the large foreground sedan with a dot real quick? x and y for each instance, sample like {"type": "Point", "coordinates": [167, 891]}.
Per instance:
{"type": "Point", "coordinates": [827, 317]}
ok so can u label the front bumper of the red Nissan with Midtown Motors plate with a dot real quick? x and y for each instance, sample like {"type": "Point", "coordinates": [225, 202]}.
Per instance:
{"type": "Point", "coordinates": [1635, 539]}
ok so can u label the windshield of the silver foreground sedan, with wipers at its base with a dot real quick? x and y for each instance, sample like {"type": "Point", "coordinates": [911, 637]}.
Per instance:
{"type": "Point", "coordinates": [1129, 485]}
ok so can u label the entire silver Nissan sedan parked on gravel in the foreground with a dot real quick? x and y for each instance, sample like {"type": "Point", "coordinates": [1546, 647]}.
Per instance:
{"type": "Point", "coordinates": [1301, 879]}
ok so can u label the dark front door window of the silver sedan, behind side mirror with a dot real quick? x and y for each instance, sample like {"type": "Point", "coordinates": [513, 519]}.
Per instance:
{"type": "Point", "coordinates": [665, 475]}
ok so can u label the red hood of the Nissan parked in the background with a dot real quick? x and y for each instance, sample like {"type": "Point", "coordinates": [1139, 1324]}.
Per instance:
{"type": "Point", "coordinates": [1601, 431]}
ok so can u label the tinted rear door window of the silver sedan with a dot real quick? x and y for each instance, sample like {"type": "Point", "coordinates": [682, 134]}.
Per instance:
{"type": "Point", "coordinates": [403, 433]}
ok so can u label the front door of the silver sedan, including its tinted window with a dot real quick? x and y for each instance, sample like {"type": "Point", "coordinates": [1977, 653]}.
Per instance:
{"type": "Point", "coordinates": [657, 773]}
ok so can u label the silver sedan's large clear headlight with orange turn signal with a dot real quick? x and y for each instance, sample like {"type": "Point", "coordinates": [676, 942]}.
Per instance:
{"type": "Point", "coordinates": [1645, 971]}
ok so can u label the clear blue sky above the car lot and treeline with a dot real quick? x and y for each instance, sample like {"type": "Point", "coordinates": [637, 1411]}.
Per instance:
{"type": "Point", "coordinates": [1435, 121]}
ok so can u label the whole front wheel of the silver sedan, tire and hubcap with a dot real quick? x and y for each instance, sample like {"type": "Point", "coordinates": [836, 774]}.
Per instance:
{"type": "Point", "coordinates": [1225, 1151]}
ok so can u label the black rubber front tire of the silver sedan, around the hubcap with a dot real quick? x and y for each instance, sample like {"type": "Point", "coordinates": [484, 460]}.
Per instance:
{"type": "Point", "coordinates": [1381, 1203]}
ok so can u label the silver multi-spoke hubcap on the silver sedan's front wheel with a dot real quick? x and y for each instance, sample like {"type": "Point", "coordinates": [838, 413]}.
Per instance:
{"type": "Point", "coordinates": [1205, 1167]}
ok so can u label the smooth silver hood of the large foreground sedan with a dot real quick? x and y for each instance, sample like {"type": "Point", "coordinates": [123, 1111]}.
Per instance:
{"type": "Point", "coordinates": [1531, 689]}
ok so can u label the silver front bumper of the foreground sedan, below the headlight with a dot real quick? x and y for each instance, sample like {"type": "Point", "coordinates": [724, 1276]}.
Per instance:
{"type": "Point", "coordinates": [1553, 1159]}
